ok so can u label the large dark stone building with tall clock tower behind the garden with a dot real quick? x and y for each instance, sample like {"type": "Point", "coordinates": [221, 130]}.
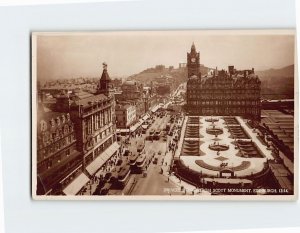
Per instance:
{"type": "Point", "coordinates": [222, 93]}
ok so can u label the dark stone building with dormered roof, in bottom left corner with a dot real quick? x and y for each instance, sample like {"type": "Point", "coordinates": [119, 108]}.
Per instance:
{"type": "Point", "coordinates": [57, 156]}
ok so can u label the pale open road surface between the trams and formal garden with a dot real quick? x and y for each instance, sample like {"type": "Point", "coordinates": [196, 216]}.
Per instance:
{"type": "Point", "coordinates": [157, 181]}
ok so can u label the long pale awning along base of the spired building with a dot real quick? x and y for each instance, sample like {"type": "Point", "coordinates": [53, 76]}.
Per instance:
{"type": "Point", "coordinates": [102, 158]}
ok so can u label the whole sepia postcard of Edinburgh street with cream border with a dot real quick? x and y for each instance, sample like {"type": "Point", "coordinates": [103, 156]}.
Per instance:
{"type": "Point", "coordinates": [164, 115]}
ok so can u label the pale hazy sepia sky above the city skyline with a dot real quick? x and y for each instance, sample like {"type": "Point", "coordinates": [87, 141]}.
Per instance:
{"type": "Point", "coordinates": [61, 56]}
